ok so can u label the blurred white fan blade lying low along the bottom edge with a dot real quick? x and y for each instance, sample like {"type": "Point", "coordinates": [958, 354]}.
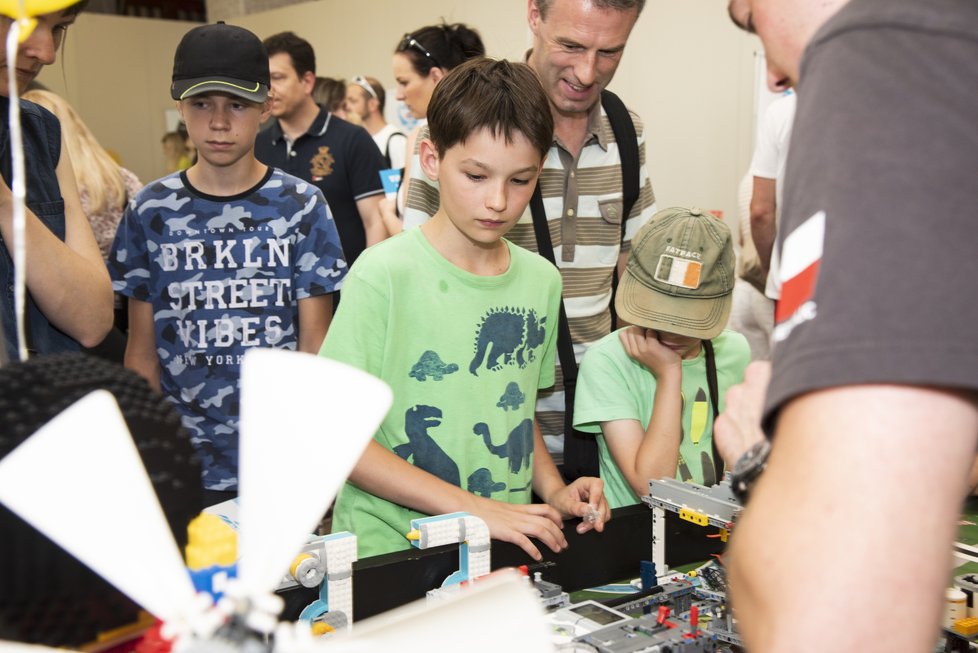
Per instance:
{"type": "Point", "coordinates": [456, 624]}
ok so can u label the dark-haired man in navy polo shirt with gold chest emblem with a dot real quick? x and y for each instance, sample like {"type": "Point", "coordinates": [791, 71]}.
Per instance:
{"type": "Point", "coordinates": [309, 142]}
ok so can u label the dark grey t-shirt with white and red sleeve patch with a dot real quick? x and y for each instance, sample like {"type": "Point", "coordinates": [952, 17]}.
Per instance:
{"type": "Point", "coordinates": [880, 221]}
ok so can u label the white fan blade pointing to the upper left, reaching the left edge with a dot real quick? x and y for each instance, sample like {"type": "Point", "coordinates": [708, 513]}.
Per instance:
{"type": "Point", "coordinates": [80, 481]}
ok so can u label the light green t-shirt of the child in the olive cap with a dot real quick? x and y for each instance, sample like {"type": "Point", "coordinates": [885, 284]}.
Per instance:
{"type": "Point", "coordinates": [612, 386]}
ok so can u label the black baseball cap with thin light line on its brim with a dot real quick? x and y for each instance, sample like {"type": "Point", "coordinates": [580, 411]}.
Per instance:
{"type": "Point", "coordinates": [220, 58]}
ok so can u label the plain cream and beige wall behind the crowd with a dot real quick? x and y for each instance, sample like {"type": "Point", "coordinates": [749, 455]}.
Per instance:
{"type": "Point", "coordinates": [687, 71]}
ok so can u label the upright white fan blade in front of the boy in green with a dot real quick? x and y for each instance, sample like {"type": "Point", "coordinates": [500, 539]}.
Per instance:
{"type": "Point", "coordinates": [305, 421]}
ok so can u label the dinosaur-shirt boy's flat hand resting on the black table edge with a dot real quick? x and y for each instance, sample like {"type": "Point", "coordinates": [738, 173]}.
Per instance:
{"type": "Point", "coordinates": [514, 523]}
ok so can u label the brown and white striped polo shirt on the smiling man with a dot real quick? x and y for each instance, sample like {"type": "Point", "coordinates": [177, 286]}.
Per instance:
{"type": "Point", "coordinates": [583, 201]}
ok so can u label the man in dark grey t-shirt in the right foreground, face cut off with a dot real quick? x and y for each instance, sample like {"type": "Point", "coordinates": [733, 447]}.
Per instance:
{"type": "Point", "coordinates": [873, 397]}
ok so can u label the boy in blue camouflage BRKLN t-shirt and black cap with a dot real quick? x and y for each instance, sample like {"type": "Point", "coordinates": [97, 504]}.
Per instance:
{"type": "Point", "coordinates": [226, 256]}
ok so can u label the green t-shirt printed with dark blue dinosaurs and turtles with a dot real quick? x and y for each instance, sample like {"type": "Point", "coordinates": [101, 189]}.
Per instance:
{"type": "Point", "coordinates": [464, 355]}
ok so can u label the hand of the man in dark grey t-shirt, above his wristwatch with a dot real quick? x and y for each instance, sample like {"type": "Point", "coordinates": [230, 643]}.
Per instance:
{"type": "Point", "coordinates": [739, 425]}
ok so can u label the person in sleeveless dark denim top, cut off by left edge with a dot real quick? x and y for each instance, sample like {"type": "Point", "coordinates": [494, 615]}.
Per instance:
{"type": "Point", "coordinates": [69, 295]}
